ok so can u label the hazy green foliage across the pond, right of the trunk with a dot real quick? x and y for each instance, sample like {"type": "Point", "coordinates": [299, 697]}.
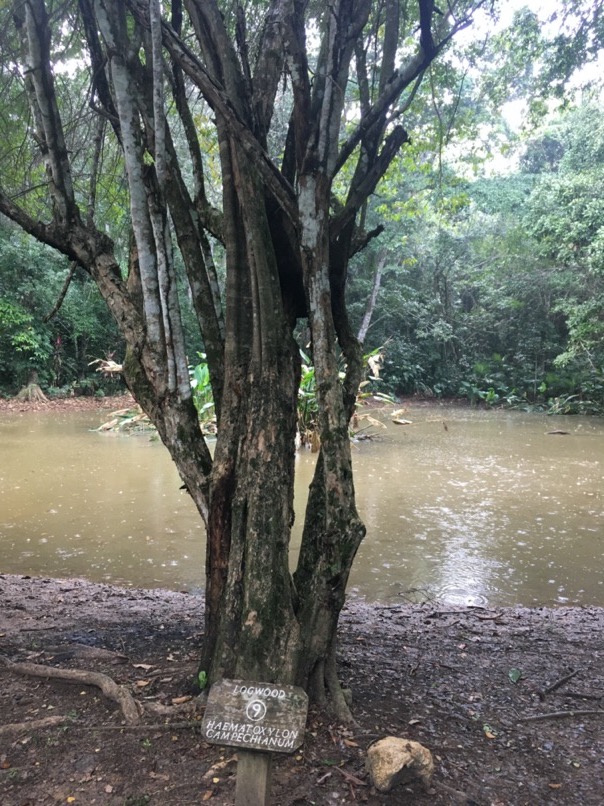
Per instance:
{"type": "Point", "coordinates": [499, 298]}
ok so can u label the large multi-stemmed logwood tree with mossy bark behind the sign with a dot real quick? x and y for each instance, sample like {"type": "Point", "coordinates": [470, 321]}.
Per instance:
{"type": "Point", "coordinates": [288, 222]}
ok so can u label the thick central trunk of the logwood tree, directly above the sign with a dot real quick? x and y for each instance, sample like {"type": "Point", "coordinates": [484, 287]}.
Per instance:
{"type": "Point", "coordinates": [250, 622]}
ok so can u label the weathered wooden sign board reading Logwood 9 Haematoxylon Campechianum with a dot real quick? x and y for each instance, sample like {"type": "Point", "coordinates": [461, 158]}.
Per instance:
{"type": "Point", "coordinates": [266, 717]}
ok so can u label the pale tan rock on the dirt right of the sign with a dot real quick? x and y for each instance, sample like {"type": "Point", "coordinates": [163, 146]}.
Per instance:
{"type": "Point", "coordinates": [392, 761]}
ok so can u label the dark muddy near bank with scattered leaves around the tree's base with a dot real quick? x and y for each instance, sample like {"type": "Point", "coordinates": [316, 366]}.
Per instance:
{"type": "Point", "coordinates": [507, 700]}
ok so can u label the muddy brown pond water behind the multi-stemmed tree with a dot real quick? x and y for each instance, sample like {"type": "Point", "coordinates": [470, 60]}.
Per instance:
{"type": "Point", "coordinates": [461, 506]}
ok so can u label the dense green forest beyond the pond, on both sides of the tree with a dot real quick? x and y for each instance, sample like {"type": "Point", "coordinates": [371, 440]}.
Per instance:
{"type": "Point", "coordinates": [486, 283]}
